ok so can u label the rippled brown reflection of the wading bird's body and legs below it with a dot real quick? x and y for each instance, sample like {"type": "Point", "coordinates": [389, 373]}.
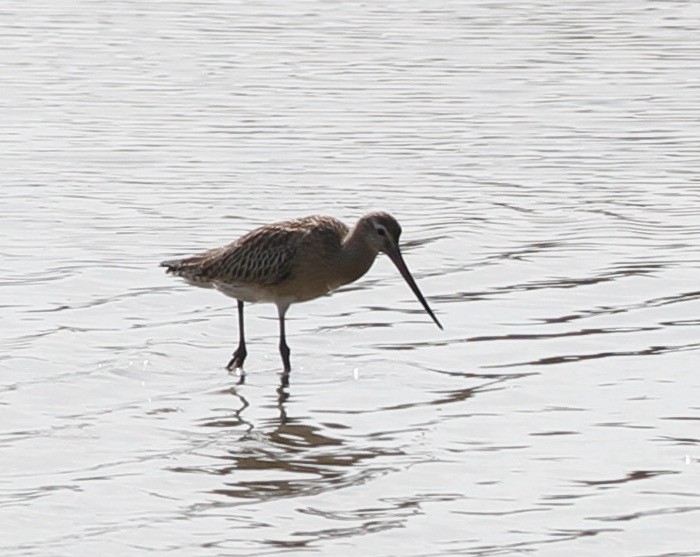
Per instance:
{"type": "Point", "coordinates": [284, 455]}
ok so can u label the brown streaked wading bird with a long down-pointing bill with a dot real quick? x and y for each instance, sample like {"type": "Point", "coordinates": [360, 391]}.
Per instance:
{"type": "Point", "coordinates": [291, 262]}
